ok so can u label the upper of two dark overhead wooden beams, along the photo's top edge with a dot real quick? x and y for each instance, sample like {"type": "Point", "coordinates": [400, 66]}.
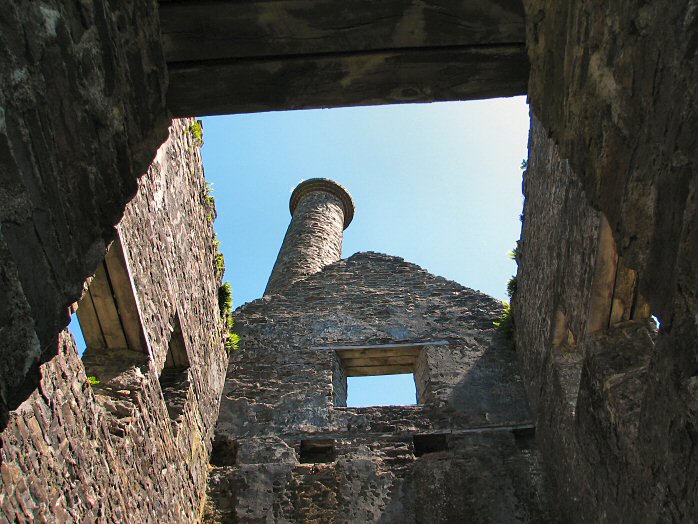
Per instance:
{"type": "Point", "coordinates": [197, 30]}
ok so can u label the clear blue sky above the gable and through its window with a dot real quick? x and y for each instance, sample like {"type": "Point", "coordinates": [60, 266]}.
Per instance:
{"type": "Point", "coordinates": [437, 184]}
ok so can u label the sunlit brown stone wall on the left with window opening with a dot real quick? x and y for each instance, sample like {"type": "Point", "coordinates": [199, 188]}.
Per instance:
{"type": "Point", "coordinates": [67, 453]}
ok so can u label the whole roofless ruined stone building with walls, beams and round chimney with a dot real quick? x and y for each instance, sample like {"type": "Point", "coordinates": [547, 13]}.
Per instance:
{"type": "Point", "coordinates": [593, 418]}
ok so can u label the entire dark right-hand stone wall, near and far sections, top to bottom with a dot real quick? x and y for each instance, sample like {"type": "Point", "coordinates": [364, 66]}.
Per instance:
{"type": "Point", "coordinates": [613, 85]}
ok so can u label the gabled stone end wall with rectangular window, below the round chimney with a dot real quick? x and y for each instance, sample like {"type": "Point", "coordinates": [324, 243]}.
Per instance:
{"type": "Point", "coordinates": [286, 450]}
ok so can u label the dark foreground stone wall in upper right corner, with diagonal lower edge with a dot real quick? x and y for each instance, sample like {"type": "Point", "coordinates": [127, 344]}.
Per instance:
{"type": "Point", "coordinates": [605, 83]}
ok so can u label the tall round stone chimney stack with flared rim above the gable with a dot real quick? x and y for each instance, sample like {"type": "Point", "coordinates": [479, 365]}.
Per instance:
{"type": "Point", "coordinates": [321, 210]}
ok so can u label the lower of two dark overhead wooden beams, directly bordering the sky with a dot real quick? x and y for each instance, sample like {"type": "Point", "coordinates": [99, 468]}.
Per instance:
{"type": "Point", "coordinates": [370, 78]}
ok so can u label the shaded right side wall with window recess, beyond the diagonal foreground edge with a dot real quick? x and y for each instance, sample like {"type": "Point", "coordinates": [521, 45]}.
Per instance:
{"type": "Point", "coordinates": [590, 383]}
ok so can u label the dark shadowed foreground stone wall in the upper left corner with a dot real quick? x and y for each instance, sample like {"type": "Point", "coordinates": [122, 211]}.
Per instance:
{"type": "Point", "coordinates": [82, 90]}
